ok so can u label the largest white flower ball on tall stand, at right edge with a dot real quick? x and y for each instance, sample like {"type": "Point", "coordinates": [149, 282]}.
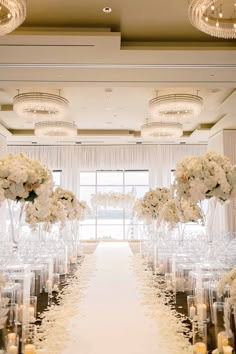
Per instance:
{"type": "Point", "coordinates": [205, 176]}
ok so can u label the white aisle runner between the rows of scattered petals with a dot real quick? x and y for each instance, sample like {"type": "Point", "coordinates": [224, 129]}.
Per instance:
{"type": "Point", "coordinates": [111, 319]}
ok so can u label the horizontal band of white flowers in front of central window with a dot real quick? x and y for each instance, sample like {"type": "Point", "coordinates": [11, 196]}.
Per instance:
{"type": "Point", "coordinates": [113, 200]}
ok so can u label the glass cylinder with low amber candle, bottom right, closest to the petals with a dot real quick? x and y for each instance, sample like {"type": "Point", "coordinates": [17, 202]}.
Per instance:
{"type": "Point", "coordinates": [199, 337]}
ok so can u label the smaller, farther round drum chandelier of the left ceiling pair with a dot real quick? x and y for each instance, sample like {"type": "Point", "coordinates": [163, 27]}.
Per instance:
{"type": "Point", "coordinates": [55, 128]}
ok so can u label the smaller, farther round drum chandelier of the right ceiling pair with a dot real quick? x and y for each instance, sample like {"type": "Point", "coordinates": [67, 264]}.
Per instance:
{"type": "Point", "coordinates": [162, 130]}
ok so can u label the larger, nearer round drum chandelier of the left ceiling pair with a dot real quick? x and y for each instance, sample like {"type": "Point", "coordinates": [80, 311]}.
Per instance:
{"type": "Point", "coordinates": [40, 105]}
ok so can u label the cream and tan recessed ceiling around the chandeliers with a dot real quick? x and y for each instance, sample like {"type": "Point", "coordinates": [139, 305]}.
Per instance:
{"type": "Point", "coordinates": [110, 65]}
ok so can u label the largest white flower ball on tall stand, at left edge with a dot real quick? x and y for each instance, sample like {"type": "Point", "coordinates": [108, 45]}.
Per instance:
{"type": "Point", "coordinates": [23, 179]}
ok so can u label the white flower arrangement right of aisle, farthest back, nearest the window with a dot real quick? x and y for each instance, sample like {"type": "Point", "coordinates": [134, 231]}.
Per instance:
{"type": "Point", "coordinates": [148, 207]}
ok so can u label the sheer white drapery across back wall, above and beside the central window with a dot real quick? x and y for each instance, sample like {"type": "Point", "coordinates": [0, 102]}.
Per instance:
{"type": "Point", "coordinates": [158, 159]}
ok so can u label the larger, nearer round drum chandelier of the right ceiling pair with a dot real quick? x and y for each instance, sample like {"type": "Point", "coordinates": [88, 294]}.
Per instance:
{"type": "Point", "coordinates": [176, 106]}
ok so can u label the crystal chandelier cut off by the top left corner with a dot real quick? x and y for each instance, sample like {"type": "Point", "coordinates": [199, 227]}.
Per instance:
{"type": "Point", "coordinates": [12, 15]}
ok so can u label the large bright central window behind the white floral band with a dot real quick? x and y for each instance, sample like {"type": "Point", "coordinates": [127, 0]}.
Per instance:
{"type": "Point", "coordinates": [111, 223]}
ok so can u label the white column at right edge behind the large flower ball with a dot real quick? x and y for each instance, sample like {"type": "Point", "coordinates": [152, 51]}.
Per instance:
{"type": "Point", "coordinates": [224, 142]}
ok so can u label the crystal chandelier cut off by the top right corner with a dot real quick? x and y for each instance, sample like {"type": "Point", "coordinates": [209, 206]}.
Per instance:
{"type": "Point", "coordinates": [214, 17]}
